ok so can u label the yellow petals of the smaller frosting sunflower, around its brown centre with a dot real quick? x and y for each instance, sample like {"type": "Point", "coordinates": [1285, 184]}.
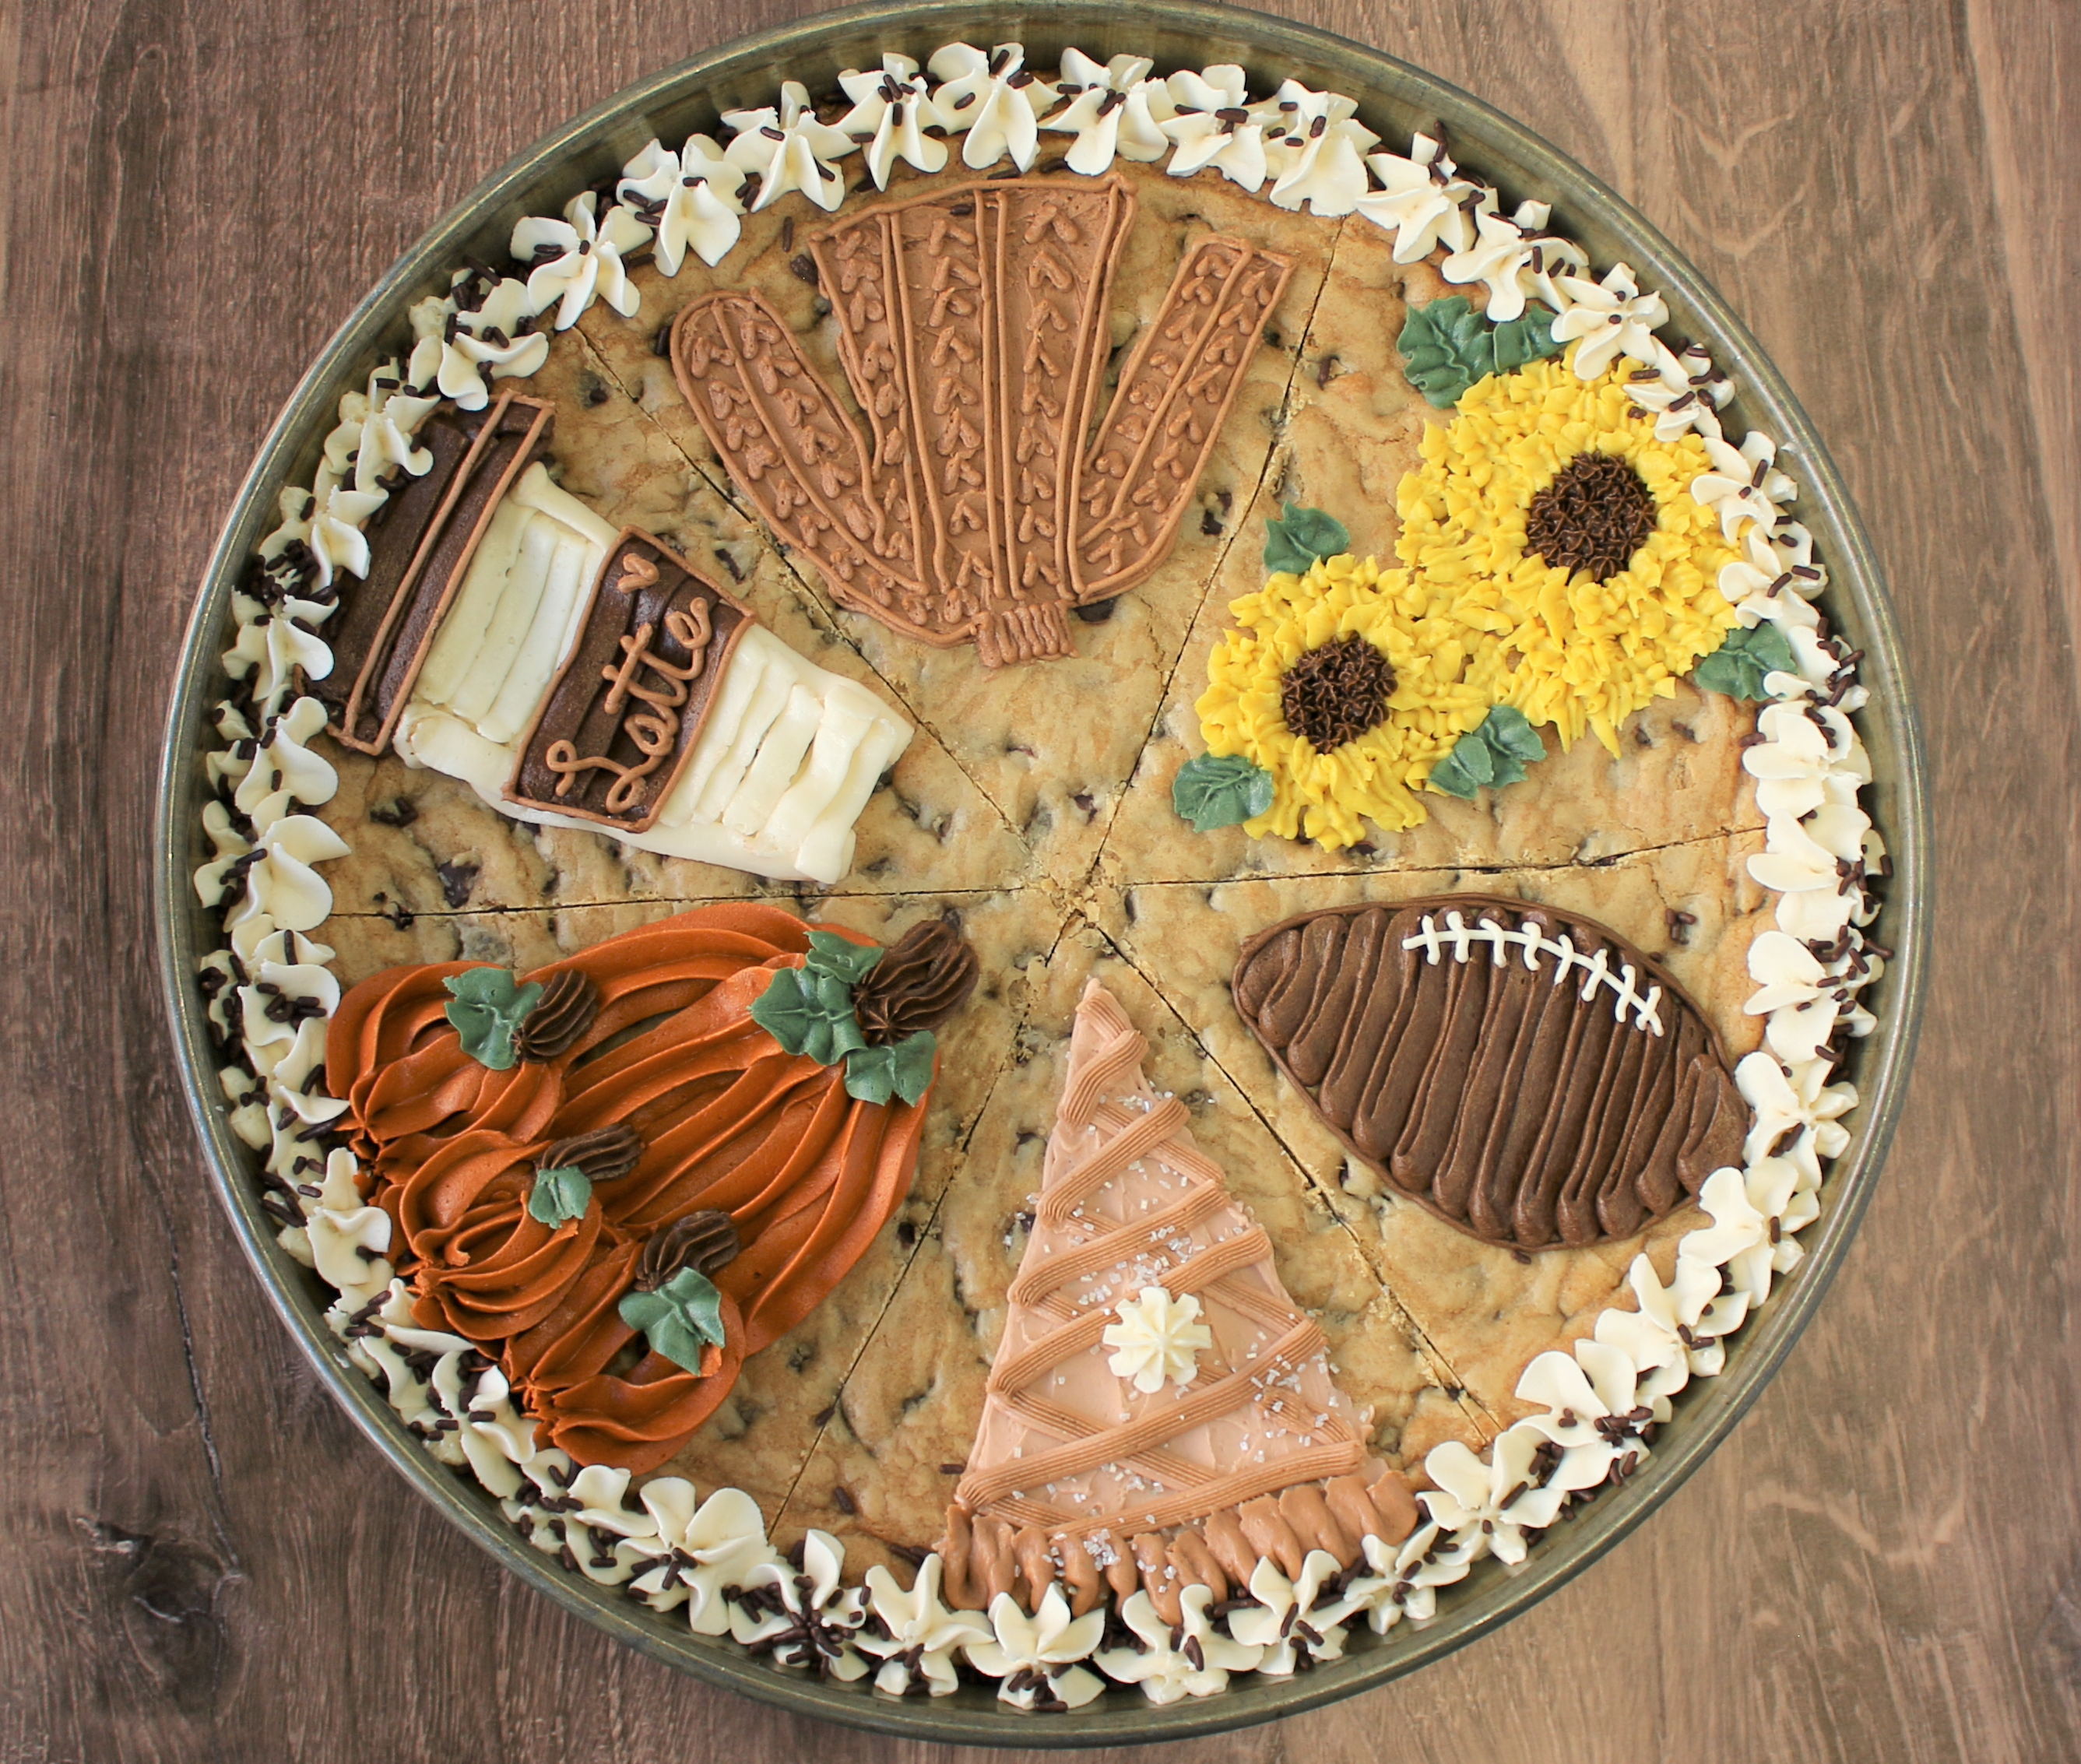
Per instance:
{"type": "Point", "coordinates": [1429, 704]}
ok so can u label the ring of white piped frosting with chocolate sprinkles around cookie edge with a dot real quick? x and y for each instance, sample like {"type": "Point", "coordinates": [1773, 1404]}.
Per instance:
{"type": "Point", "coordinates": [272, 991]}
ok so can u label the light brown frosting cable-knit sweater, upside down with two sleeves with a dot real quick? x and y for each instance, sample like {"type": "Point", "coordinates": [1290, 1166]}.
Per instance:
{"type": "Point", "coordinates": [973, 330]}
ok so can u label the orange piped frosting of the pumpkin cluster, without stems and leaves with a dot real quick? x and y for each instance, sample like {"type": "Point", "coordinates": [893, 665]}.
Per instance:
{"type": "Point", "coordinates": [729, 1122]}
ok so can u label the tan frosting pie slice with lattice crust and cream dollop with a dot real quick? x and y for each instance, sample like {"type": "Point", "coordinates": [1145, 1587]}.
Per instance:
{"type": "Point", "coordinates": [1160, 1413]}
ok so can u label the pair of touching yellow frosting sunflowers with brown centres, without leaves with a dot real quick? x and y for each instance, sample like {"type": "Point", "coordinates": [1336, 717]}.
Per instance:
{"type": "Point", "coordinates": [1553, 561]}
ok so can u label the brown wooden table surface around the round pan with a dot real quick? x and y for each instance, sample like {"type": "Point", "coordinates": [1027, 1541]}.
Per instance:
{"type": "Point", "coordinates": [201, 1559]}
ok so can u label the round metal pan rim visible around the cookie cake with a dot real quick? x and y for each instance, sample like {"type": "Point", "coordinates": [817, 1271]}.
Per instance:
{"type": "Point", "coordinates": [1393, 99]}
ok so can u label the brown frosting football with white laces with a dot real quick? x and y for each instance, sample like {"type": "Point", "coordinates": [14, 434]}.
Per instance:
{"type": "Point", "coordinates": [1522, 1072]}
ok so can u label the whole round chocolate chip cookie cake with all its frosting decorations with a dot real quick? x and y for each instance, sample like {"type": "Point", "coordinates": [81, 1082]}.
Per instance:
{"type": "Point", "coordinates": [1042, 877]}
